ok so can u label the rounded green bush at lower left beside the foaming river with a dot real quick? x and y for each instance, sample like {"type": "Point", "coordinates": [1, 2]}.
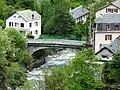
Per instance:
{"type": "Point", "coordinates": [15, 75]}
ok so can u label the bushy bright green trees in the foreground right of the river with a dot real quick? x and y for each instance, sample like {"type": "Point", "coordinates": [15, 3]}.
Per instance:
{"type": "Point", "coordinates": [81, 74]}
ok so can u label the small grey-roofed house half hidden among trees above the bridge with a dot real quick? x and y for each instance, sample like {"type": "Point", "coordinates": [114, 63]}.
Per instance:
{"type": "Point", "coordinates": [80, 14]}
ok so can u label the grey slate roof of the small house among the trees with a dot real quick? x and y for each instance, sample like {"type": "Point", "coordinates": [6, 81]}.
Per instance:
{"type": "Point", "coordinates": [78, 12]}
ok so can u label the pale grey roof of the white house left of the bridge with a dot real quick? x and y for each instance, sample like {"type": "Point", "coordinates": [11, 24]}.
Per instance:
{"type": "Point", "coordinates": [27, 15]}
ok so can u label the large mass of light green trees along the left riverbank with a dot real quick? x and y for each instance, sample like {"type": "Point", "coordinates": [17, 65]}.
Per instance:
{"type": "Point", "coordinates": [14, 58]}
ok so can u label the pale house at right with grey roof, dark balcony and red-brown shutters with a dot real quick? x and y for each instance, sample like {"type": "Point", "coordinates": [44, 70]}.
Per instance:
{"type": "Point", "coordinates": [107, 30]}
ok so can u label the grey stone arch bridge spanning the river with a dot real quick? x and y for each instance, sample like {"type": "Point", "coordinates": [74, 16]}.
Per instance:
{"type": "Point", "coordinates": [37, 44]}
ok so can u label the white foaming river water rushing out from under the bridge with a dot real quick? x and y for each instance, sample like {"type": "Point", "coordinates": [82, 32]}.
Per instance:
{"type": "Point", "coordinates": [61, 58]}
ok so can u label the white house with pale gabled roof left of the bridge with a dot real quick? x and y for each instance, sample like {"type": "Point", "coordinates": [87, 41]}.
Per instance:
{"type": "Point", "coordinates": [26, 21]}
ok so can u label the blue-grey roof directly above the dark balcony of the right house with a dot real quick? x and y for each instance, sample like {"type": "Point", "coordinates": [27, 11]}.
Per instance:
{"type": "Point", "coordinates": [109, 18]}
